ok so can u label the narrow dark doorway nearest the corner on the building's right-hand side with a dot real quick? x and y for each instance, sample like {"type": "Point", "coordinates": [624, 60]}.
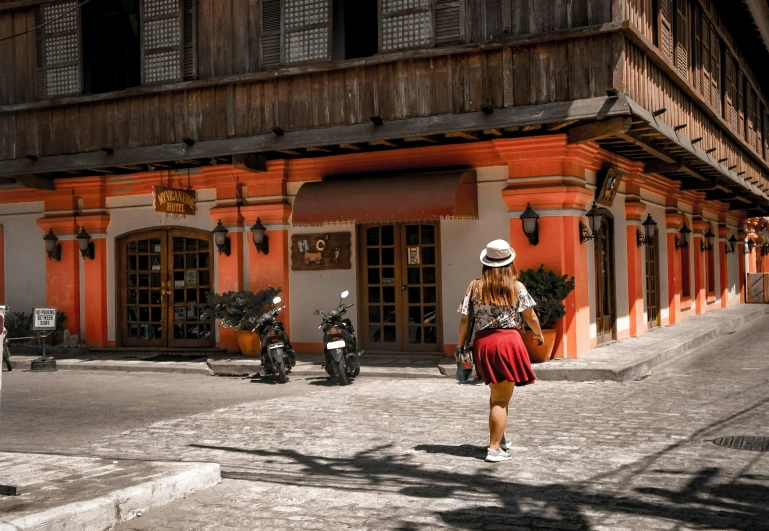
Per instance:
{"type": "Point", "coordinates": [605, 281]}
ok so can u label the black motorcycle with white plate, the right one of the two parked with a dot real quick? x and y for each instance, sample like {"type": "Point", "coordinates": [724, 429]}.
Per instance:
{"type": "Point", "coordinates": [339, 343]}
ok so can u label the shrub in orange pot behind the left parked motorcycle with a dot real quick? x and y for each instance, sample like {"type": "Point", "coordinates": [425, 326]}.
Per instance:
{"type": "Point", "coordinates": [239, 310]}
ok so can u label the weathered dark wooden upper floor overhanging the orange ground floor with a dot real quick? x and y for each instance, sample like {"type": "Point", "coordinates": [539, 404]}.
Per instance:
{"type": "Point", "coordinates": [113, 86]}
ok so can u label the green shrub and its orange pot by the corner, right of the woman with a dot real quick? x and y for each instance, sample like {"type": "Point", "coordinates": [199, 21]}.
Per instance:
{"type": "Point", "coordinates": [549, 290]}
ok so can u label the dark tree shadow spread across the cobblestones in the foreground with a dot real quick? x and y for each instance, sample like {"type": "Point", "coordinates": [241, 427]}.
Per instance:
{"type": "Point", "coordinates": [493, 501]}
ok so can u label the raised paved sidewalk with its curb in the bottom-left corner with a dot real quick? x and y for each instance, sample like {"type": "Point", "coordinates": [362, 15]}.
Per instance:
{"type": "Point", "coordinates": [82, 493]}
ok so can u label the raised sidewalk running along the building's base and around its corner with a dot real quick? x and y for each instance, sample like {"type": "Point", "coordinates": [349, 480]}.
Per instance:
{"type": "Point", "coordinates": [620, 361]}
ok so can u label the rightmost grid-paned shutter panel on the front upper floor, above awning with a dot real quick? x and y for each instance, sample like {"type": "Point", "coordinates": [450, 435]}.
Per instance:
{"type": "Point", "coordinates": [405, 24]}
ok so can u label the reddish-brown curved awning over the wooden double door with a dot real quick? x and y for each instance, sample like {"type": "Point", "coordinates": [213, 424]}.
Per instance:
{"type": "Point", "coordinates": [387, 198]}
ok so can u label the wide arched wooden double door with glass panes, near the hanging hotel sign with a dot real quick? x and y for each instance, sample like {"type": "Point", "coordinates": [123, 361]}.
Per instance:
{"type": "Point", "coordinates": [163, 277]}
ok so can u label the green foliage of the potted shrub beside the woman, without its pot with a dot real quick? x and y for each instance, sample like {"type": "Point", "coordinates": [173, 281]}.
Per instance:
{"type": "Point", "coordinates": [549, 290]}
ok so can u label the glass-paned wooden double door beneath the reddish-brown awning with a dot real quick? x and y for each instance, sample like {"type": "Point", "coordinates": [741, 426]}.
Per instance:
{"type": "Point", "coordinates": [400, 287]}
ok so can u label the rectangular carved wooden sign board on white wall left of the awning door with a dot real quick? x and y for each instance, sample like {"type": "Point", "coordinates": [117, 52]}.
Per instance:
{"type": "Point", "coordinates": [321, 252]}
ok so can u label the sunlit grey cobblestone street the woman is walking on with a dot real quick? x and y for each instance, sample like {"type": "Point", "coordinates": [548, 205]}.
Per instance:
{"type": "Point", "coordinates": [391, 454]}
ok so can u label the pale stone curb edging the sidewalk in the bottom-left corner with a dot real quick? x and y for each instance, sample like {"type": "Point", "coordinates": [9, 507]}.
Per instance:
{"type": "Point", "coordinates": [121, 505]}
